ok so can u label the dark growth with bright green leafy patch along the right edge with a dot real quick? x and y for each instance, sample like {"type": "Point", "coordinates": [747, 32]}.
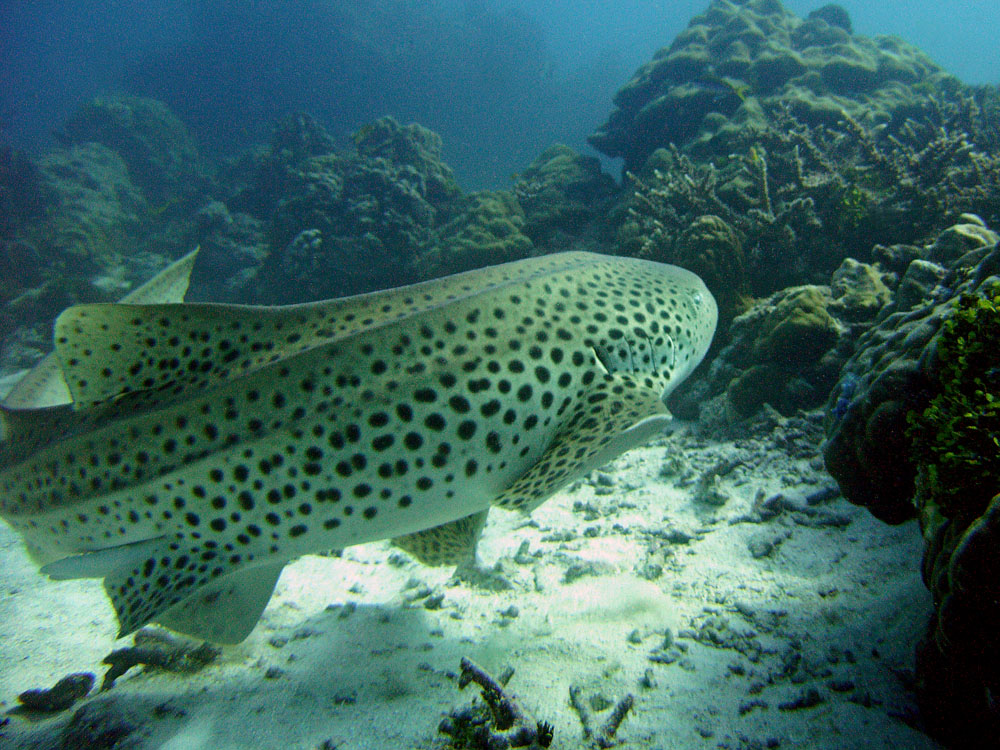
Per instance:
{"type": "Point", "coordinates": [955, 441]}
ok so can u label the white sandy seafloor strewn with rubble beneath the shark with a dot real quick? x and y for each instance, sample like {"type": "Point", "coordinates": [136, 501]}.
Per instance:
{"type": "Point", "coordinates": [756, 611]}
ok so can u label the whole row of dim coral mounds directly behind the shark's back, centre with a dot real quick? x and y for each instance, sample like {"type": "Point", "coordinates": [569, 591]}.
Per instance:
{"type": "Point", "coordinates": [390, 213]}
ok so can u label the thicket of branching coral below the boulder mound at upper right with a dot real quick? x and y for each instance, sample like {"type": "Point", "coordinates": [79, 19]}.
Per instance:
{"type": "Point", "coordinates": [803, 197]}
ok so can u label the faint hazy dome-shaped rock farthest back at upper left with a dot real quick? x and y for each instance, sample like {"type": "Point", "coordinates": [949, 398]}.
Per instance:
{"type": "Point", "coordinates": [161, 154]}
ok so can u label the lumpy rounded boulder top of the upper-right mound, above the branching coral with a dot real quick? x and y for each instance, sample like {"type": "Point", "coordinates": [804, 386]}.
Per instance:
{"type": "Point", "coordinates": [735, 55]}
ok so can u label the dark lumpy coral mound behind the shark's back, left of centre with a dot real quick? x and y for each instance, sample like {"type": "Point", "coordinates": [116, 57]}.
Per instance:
{"type": "Point", "coordinates": [370, 214]}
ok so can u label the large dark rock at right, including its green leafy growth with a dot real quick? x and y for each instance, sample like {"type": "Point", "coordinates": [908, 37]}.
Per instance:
{"type": "Point", "coordinates": [911, 432]}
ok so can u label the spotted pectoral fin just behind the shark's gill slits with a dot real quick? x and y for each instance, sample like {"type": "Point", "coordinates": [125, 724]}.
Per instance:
{"type": "Point", "coordinates": [612, 417]}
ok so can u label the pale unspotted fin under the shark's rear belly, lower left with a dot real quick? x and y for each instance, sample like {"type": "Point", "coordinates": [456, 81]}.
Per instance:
{"type": "Point", "coordinates": [226, 610]}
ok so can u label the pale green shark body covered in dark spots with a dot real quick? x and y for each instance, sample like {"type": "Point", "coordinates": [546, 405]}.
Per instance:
{"type": "Point", "coordinates": [204, 440]}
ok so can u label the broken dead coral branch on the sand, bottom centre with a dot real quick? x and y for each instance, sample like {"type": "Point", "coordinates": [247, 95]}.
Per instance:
{"type": "Point", "coordinates": [511, 727]}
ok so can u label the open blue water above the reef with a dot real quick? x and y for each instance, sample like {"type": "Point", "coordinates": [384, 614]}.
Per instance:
{"type": "Point", "coordinates": [499, 79]}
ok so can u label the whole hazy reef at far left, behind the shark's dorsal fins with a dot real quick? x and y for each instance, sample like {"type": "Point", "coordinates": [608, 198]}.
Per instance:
{"type": "Point", "coordinates": [86, 221]}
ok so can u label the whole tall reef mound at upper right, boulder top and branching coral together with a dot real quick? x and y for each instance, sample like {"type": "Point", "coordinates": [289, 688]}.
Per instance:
{"type": "Point", "coordinates": [806, 169]}
